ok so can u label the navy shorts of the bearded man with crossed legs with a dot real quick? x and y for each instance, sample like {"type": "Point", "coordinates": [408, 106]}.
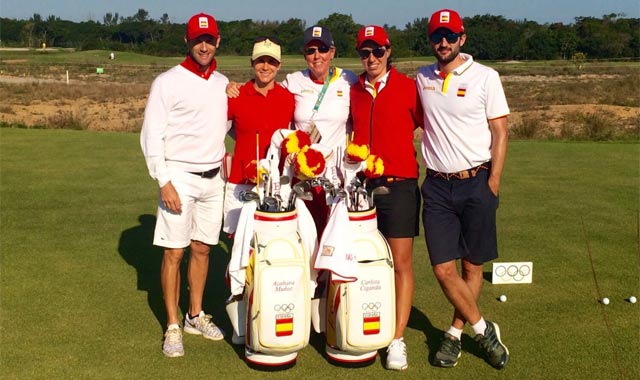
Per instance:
{"type": "Point", "coordinates": [459, 218]}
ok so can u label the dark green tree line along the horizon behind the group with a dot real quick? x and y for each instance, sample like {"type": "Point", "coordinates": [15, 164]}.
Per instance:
{"type": "Point", "coordinates": [613, 36]}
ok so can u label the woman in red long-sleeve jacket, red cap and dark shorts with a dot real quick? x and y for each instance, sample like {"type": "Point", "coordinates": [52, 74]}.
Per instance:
{"type": "Point", "coordinates": [385, 110]}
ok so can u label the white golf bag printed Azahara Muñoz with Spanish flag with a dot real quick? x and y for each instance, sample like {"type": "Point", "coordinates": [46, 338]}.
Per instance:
{"type": "Point", "coordinates": [276, 292]}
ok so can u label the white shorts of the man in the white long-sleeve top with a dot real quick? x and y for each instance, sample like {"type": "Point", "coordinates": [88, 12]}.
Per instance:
{"type": "Point", "coordinates": [201, 217]}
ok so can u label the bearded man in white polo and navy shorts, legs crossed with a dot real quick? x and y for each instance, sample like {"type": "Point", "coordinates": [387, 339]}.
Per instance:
{"type": "Point", "coordinates": [464, 147]}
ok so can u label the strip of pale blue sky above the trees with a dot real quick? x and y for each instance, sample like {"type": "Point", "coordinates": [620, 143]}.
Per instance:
{"type": "Point", "coordinates": [392, 12]}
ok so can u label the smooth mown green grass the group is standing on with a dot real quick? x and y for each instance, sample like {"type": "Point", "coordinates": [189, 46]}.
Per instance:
{"type": "Point", "coordinates": [80, 291]}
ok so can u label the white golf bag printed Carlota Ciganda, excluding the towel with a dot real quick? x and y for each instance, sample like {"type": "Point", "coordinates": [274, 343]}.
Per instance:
{"type": "Point", "coordinates": [360, 315]}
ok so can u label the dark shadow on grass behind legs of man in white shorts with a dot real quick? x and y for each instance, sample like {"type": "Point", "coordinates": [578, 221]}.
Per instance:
{"type": "Point", "coordinates": [137, 249]}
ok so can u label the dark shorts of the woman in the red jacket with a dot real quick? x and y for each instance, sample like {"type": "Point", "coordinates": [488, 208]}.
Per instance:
{"type": "Point", "coordinates": [398, 212]}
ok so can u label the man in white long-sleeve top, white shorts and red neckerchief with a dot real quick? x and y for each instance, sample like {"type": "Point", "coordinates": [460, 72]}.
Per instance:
{"type": "Point", "coordinates": [182, 140]}
